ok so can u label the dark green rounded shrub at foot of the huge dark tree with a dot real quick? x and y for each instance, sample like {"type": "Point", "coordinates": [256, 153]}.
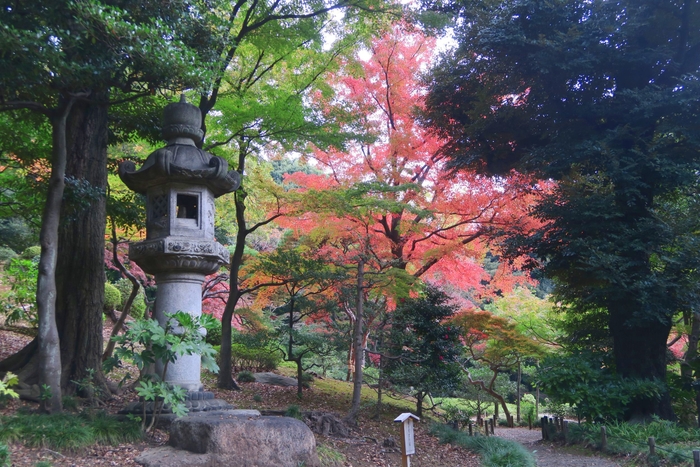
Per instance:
{"type": "Point", "coordinates": [585, 380]}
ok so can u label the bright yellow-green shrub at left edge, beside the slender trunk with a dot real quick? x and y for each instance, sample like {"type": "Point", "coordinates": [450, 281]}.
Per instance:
{"type": "Point", "coordinates": [19, 304]}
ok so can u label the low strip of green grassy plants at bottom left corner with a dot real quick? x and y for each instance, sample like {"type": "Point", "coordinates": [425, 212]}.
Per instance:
{"type": "Point", "coordinates": [67, 432]}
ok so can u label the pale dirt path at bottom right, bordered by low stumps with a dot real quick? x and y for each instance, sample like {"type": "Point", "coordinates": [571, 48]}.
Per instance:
{"type": "Point", "coordinates": [551, 455]}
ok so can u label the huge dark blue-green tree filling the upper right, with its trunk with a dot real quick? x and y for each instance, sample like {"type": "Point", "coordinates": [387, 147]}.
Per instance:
{"type": "Point", "coordinates": [602, 97]}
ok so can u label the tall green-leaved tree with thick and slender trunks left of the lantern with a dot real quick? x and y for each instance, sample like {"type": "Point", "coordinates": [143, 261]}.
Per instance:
{"type": "Point", "coordinates": [69, 61]}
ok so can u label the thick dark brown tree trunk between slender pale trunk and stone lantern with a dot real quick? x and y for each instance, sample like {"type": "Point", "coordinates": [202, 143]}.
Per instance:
{"type": "Point", "coordinates": [80, 278]}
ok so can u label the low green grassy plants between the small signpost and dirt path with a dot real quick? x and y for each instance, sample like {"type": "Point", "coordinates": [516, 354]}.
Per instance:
{"type": "Point", "coordinates": [494, 451]}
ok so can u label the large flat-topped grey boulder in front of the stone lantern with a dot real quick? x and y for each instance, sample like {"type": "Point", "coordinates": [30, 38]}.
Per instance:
{"type": "Point", "coordinates": [235, 438]}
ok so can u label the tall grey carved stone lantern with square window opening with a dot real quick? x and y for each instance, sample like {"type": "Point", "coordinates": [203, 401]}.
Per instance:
{"type": "Point", "coordinates": [180, 182]}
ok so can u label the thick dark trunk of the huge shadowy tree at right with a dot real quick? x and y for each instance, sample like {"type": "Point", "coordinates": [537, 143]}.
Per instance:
{"type": "Point", "coordinates": [640, 349]}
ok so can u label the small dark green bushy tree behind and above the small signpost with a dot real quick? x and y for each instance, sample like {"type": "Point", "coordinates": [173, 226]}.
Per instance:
{"type": "Point", "coordinates": [423, 348]}
